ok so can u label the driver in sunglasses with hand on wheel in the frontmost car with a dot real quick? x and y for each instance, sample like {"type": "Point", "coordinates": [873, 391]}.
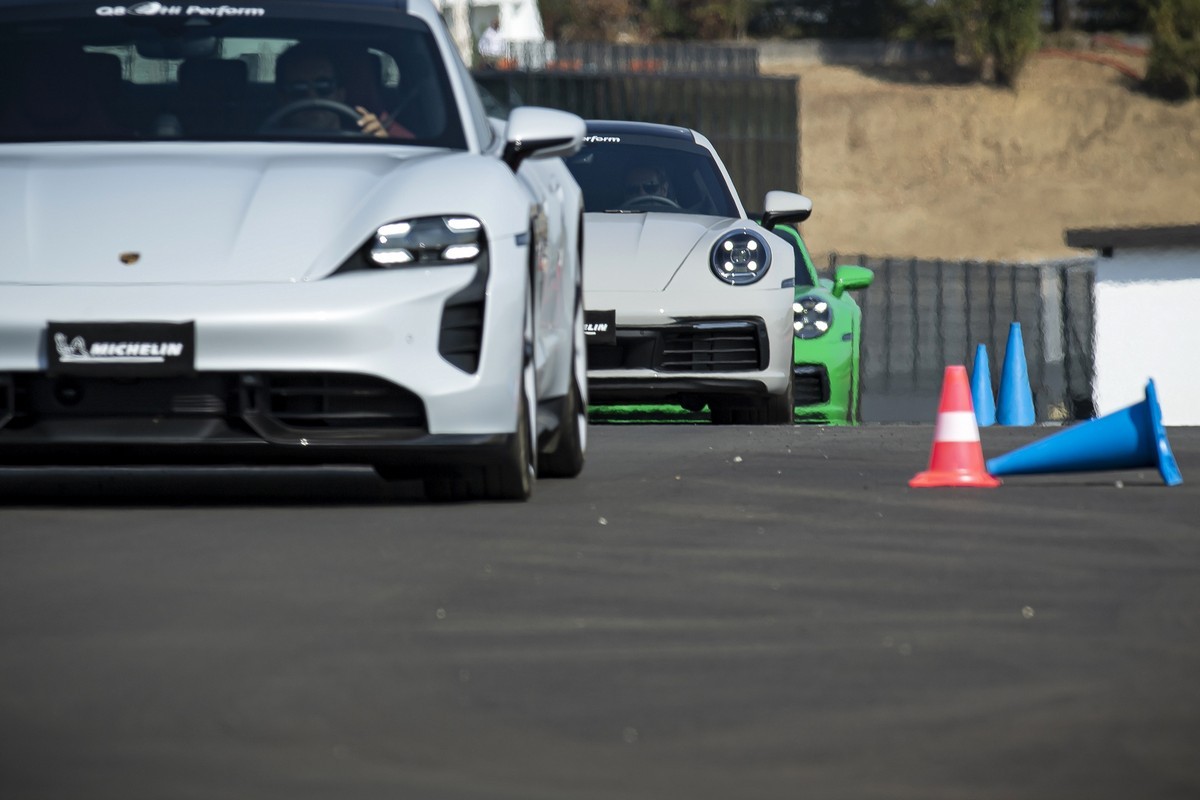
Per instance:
{"type": "Point", "coordinates": [309, 73]}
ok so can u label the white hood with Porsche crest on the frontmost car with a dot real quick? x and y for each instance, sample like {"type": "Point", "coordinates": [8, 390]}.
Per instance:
{"type": "Point", "coordinates": [195, 214]}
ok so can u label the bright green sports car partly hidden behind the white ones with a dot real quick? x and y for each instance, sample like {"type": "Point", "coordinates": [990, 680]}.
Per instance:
{"type": "Point", "coordinates": [827, 344]}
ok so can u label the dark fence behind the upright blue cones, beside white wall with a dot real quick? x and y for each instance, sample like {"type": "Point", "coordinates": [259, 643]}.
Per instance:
{"type": "Point", "coordinates": [921, 316]}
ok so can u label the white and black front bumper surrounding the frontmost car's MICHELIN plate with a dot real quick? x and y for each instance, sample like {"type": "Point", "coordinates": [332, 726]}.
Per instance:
{"type": "Point", "coordinates": [374, 366]}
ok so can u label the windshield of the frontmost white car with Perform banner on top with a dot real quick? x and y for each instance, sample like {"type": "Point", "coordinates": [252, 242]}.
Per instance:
{"type": "Point", "coordinates": [113, 75]}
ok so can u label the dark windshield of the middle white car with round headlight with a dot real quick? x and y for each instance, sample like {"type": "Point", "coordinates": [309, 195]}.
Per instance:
{"type": "Point", "coordinates": [644, 175]}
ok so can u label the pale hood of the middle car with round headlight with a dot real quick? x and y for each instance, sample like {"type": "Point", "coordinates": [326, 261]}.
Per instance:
{"type": "Point", "coordinates": [640, 252]}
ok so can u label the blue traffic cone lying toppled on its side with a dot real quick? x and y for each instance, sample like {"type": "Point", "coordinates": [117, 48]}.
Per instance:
{"type": "Point", "coordinates": [1127, 440]}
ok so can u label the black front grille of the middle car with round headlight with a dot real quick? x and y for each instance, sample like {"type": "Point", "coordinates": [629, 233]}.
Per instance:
{"type": "Point", "coordinates": [703, 347]}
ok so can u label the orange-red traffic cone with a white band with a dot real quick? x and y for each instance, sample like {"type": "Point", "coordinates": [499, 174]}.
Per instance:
{"type": "Point", "coordinates": [957, 459]}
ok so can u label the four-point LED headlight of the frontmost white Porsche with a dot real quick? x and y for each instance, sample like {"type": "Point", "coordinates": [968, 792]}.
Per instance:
{"type": "Point", "coordinates": [428, 242]}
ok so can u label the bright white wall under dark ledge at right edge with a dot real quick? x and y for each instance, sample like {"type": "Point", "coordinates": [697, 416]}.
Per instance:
{"type": "Point", "coordinates": [1147, 304]}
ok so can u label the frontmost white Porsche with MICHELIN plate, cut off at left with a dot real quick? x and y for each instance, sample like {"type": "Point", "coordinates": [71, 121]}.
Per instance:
{"type": "Point", "coordinates": [283, 232]}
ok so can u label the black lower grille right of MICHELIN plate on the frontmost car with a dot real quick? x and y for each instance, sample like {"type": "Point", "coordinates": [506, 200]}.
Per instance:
{"type": "Point", "coordinates": [310, 401]}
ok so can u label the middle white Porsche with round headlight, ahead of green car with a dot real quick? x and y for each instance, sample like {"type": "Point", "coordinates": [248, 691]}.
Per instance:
{"type": "Point", "coordinates": [688, 300]}
